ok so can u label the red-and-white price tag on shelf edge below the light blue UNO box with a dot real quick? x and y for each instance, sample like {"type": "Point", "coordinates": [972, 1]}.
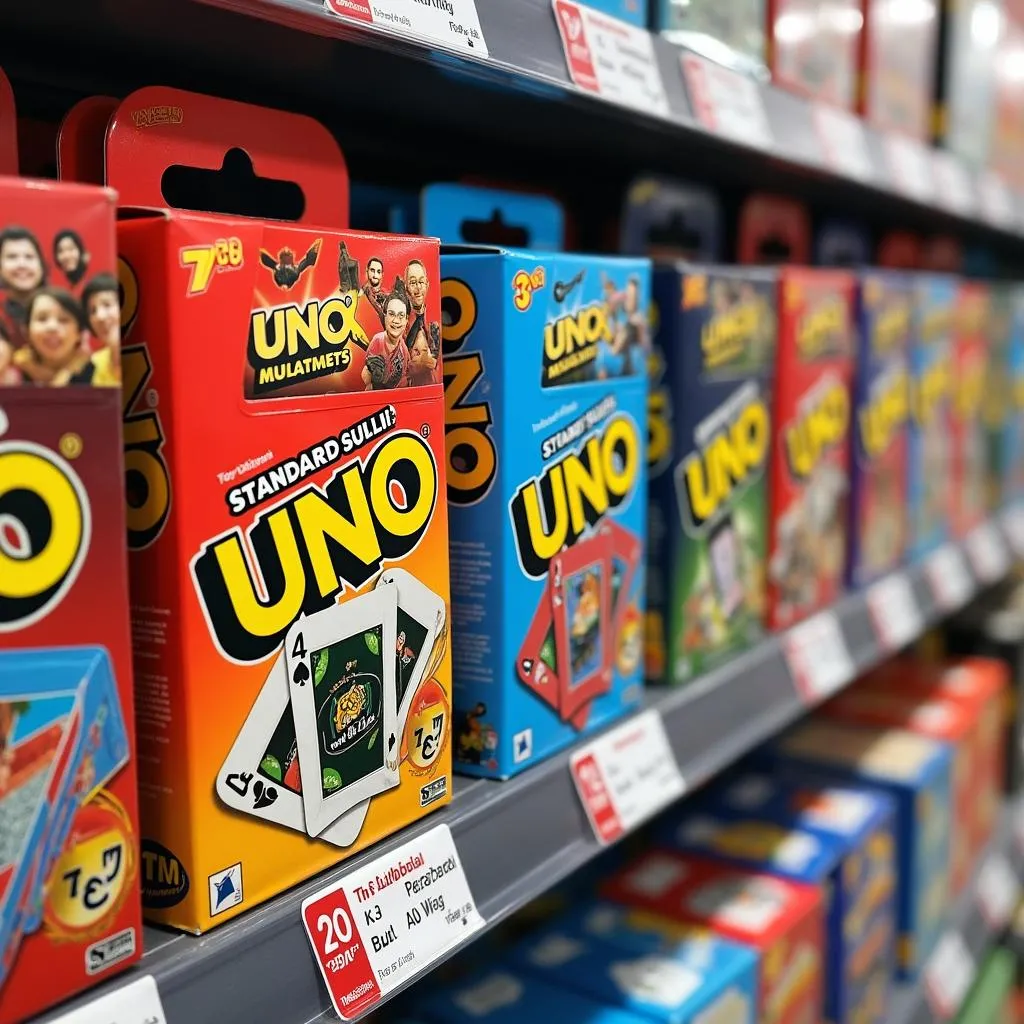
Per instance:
{"type": "Point", "coordinates": [626, 776]}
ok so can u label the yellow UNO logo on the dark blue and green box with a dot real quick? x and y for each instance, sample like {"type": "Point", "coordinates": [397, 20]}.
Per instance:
{"type": "Point", "coordinates": [730, 460]}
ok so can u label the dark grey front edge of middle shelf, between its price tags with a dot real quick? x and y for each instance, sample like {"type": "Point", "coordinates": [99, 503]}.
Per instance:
{"type": "Point", "coordinates": [518, 839]}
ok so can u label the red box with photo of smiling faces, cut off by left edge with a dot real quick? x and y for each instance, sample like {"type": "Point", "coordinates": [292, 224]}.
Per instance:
{"type": "Point", "coordinates": [69, 822]}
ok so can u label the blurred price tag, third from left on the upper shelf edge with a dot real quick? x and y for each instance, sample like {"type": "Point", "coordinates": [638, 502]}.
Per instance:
{"type": "Point", "coordinates": [727, 103]}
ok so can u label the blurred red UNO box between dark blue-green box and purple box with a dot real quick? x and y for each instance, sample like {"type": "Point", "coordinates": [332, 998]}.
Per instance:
{"type": "Point", "coordinates": [809, 467]}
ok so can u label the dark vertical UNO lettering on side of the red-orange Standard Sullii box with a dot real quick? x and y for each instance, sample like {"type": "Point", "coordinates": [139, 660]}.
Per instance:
{"type": "Point", "coordinates": [147, 481]}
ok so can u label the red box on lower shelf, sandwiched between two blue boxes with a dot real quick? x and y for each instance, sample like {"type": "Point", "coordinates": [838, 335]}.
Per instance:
{"type": "Point", "coordinates": [782, 921]}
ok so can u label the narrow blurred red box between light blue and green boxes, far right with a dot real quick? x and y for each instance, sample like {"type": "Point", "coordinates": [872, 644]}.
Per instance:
{"type": "Point", "coordinates": [970, 473]}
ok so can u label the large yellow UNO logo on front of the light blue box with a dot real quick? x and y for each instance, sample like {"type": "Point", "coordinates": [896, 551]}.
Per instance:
{"type": "Point", "coordinates": [551, 511]}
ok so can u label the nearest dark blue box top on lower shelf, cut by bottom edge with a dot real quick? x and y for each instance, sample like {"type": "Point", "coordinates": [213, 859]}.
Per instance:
{"type": "Point", "coordinates": [506, 997]}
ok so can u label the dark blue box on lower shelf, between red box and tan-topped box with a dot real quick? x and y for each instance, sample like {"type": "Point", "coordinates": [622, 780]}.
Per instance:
{"type": "Point", "coordinates": [840, 839]}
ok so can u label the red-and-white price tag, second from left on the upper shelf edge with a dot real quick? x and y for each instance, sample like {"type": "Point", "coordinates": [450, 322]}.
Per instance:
{"type": "Point", "coordinates": [611, 58]}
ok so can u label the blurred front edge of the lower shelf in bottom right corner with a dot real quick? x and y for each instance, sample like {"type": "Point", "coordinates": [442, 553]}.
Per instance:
{"type": "Point", "coordinates": [978, 932]}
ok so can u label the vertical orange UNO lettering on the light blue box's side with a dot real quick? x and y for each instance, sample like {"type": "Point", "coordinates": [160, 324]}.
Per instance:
{"type": "Point", "coordinates": [470, 447]}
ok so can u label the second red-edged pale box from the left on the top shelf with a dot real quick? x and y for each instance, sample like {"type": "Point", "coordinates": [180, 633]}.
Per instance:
{"type": "Point", "coordinates": [898, 65]}
